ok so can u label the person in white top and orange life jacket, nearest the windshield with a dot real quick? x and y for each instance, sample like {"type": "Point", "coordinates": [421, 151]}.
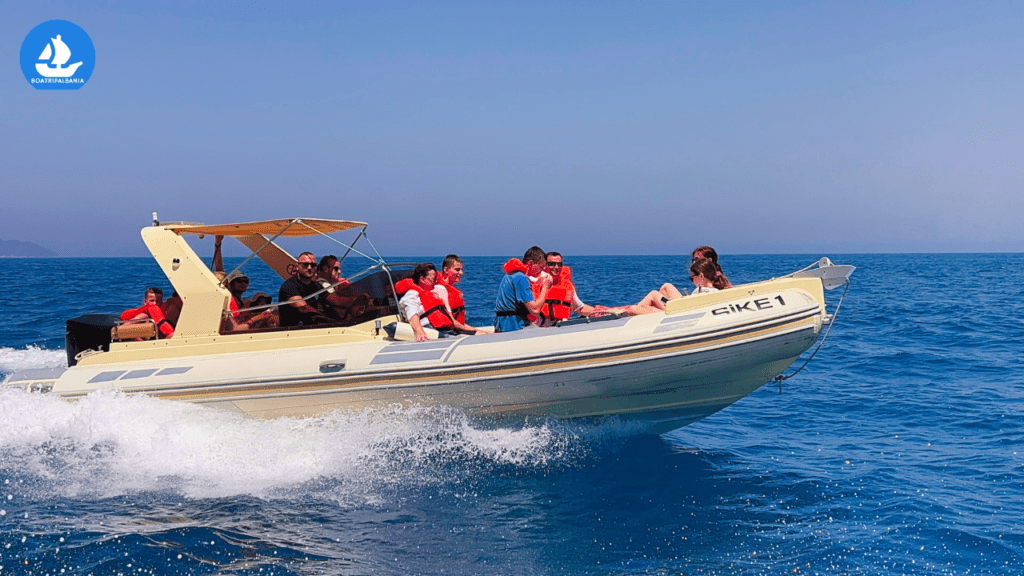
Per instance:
{"type": "Point", "coordinates": [424, 306]}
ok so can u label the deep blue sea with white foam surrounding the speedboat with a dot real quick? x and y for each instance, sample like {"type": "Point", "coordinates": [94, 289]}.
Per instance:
{"type": "Point", "coordinates": [899, 450]}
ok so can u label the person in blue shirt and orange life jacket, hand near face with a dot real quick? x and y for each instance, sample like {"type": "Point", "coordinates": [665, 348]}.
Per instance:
{"type": "Point", "coordinates": [517, 301]}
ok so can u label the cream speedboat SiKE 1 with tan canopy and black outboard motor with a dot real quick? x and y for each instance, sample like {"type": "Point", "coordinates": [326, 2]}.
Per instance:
{"type": "Point", "coordinates": [702, 354]}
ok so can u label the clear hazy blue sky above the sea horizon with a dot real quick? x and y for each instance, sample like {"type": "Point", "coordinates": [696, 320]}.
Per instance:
{"type": "Point", "coordinates": [484, 129]}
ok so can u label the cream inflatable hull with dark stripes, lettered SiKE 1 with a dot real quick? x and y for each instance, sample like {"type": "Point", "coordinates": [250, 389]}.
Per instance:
{"type": "Point", "coordinates": [672, 368]}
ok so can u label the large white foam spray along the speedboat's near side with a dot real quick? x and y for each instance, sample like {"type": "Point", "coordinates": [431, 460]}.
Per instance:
{"type": "Point", "coordinates": [109, 444]}
